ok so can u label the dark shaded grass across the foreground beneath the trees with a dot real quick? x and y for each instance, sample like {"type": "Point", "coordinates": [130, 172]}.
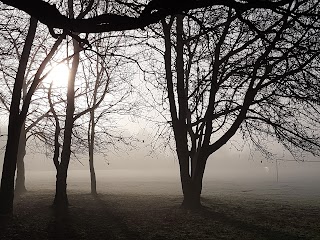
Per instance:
{"type": "Point", "coordinates": [158, 217]}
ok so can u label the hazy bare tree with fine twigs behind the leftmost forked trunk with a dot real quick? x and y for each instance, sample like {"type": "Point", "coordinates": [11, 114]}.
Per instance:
{"type": "Point", "coordinates": [13, 37]}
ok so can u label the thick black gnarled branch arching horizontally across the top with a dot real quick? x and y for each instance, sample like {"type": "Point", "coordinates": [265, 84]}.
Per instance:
{"type": "Point", "coordinates": [150, 13]}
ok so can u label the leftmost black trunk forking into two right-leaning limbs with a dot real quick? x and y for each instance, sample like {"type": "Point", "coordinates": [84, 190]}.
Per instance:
{"type": "Point", "coordinates": [17, 116]}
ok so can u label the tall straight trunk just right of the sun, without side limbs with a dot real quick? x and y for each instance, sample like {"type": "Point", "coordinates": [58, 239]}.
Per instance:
{"type": "Point", "coordinates": [61, 198]}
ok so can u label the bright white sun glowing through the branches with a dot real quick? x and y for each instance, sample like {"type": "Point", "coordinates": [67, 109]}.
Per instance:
{"type": "Point", "coordinates": [58, 76]}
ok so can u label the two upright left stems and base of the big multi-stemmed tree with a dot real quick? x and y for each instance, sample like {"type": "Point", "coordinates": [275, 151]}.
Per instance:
{"type": "Point", "coordinates": [191, 181]}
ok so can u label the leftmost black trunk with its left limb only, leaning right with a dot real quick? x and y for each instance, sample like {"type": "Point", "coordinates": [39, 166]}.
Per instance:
{"type": "Point", "coordinates": [14, 127]}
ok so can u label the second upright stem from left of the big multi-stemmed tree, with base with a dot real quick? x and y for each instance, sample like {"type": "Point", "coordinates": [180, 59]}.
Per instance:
{"type": "Point", "coordinates": [191, 176]}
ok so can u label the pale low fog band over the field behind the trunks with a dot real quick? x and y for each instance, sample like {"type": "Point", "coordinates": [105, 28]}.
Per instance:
{"type": "Point", "coordinates": [136, 171]}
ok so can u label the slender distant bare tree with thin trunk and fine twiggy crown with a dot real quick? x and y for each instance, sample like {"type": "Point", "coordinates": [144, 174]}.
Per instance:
{"type": "Point", "coordinates": [109, 61]}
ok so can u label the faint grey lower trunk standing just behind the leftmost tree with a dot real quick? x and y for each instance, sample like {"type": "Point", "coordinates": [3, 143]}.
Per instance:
{"type": "Point", "coordinates": [20, 179]}
